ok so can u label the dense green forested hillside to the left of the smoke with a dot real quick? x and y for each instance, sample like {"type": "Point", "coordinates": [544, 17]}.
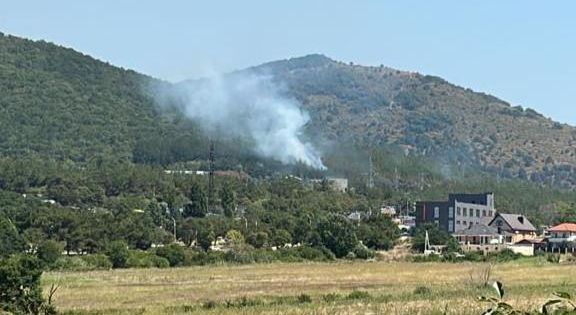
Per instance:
{"type": "Point", "coordinates": [59, 104]}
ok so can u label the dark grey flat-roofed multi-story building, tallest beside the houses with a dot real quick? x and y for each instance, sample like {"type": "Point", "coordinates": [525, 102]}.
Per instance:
{"type": "Point", "coordinates": [458, 213]}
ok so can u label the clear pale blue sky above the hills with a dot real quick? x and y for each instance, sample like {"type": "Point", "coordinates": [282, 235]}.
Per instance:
{"type": "Point", "coordinates": [522, 51]}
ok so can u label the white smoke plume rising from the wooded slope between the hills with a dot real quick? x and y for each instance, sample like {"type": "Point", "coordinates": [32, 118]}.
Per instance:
{"type": "Point", "coordinates": [250, 105]}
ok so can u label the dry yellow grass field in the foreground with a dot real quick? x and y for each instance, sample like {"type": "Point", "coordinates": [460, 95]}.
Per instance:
{"type": "Point", "coordinates": [306, 288]}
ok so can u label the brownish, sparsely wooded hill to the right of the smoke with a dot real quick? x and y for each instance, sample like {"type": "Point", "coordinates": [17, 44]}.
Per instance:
{"type": "Point", "coordinates": [428, 116]}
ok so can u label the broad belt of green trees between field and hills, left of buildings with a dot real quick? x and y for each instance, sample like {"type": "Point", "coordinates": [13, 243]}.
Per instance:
{"type": "Point", "coordinates": [85, 209]}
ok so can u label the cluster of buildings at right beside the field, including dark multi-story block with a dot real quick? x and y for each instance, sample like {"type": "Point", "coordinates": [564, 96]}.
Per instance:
{"type": "Point", "coordinates": [479, 227]}
